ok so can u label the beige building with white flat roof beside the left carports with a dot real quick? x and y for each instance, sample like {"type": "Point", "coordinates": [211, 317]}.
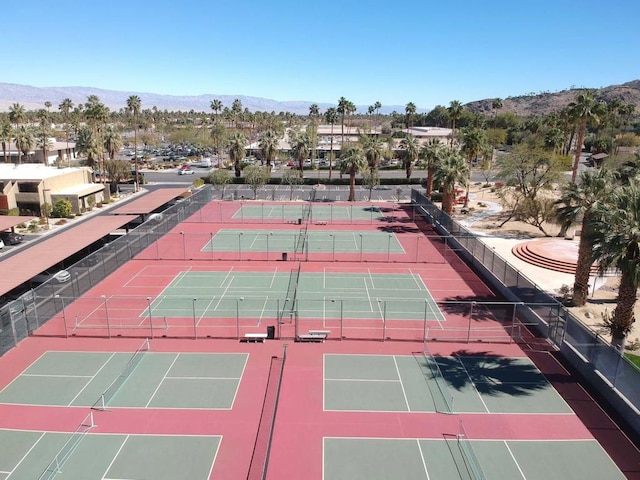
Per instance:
{"type": "Point", "coordinates": [27, 186]}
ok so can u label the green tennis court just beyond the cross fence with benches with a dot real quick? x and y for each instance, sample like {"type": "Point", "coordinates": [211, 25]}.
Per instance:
{"type": "Point", "coordinates": [317, 295]}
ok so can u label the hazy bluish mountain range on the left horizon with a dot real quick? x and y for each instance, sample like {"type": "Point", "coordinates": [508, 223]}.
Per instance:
{"type": "Point", "coordinates": [34, 97]}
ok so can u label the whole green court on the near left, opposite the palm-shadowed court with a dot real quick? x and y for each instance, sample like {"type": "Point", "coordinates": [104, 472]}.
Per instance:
{"type": "Point", "coordinates": [156, 380]}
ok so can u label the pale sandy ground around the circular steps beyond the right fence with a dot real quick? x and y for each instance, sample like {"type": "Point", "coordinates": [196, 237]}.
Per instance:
{"type": "Point", "coordinates": [484, 218]}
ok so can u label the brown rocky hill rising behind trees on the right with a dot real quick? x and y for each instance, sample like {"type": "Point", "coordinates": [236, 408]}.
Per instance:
{"type": "Point", "coordinates": [544, 103]}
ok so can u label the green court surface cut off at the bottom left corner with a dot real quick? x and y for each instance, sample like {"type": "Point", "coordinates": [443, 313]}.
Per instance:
{"type": "Point", "coordinates": [25, 455]}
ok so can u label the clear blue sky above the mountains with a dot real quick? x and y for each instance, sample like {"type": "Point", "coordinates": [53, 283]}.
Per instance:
{"type": "Point", "coordinates": [427, 52]}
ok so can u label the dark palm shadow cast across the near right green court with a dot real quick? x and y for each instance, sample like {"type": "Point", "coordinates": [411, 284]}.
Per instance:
{"type": "Point", "coordinates": [490, 374]}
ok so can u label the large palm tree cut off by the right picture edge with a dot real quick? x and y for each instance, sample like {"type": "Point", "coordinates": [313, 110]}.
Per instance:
{"type": "Point", "coordinates": [613, 232]}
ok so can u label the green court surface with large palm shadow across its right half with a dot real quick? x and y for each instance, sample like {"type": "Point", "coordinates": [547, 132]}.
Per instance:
{"type": "Point", "coordinates": [396, 383]}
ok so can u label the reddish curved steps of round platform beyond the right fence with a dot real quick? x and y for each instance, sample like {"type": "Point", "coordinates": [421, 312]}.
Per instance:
{"type": "Point", "coordinates": [553, 254]}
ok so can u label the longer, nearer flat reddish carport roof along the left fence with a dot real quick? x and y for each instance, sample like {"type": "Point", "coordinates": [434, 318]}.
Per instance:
{"type": "Point", "coordinates": [32, 260]}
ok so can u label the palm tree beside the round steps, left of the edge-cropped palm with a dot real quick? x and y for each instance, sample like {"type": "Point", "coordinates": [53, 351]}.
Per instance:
{"type": "Point", "coordinates": [575, 205]}
